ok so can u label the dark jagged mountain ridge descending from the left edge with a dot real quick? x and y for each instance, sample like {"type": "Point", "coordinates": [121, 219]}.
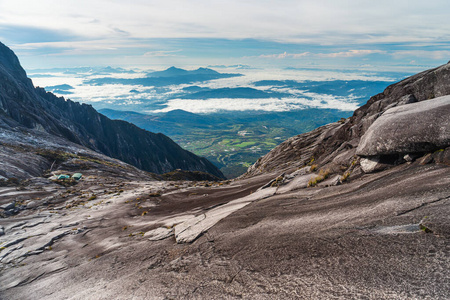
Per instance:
{"type": "Point", "coordinates": [22, 105]}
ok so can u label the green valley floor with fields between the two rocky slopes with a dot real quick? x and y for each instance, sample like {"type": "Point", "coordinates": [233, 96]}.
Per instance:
{"type": "Point", "coordinates": [232, 141]}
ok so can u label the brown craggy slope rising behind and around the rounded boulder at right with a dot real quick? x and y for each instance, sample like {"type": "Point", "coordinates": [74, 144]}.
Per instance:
{"type": "Point", "coordinates": [334, 145]}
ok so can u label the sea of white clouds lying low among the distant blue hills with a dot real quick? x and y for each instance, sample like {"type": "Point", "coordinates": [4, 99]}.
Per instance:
{"type": "Point", "coordinates": [153, 100]}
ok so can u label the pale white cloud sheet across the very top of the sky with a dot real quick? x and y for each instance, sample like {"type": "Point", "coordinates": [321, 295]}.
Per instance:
{"type": "Point", "coordinates": [320, 21]}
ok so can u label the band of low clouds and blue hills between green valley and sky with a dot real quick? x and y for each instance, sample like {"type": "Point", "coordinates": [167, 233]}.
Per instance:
{"type": "Point", "coordinates": [256, 90]}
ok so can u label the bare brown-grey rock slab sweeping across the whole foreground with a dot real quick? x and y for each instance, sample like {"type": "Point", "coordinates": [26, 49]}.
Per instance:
{"type": "Point", "coordinates": [363, 238]}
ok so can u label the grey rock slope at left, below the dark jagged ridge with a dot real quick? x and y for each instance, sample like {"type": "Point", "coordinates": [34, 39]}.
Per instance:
{"type": "Point", "coordinates": [30, 154]}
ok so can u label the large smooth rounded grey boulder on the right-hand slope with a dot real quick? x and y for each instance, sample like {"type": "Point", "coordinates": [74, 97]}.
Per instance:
{"type": "Point", "coordinates": [412, 128]}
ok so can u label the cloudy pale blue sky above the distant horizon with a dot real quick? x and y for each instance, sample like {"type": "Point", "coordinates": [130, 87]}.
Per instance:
{"type": "Point", "coordinates": [341, 34]}
